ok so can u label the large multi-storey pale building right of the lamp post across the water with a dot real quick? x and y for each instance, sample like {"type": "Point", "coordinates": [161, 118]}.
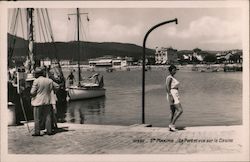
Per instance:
{"type": "Point", "coordinates": [165, 55]}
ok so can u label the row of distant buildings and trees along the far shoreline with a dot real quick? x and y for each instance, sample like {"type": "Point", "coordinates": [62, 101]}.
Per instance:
{"type": "Point", "coordinates": [163, 56]}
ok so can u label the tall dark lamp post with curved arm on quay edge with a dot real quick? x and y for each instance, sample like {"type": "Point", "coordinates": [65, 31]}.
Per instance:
{"type": "Point", "coordinates": [143, 63]}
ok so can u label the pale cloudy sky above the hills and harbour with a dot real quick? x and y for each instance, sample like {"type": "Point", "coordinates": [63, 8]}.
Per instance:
{"type": "Point", "coordinates": [204, 28]}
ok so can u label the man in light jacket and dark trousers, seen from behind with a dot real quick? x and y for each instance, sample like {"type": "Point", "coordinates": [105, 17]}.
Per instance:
{"type": "Point", "coordinates": [41, 101]}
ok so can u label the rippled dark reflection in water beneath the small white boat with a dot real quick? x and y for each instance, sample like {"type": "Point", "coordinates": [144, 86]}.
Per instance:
{"type": "Point", "coordinates": [82, 110]}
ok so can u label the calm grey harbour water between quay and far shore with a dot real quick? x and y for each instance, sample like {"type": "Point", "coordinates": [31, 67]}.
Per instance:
{"type": "Point", "coordinates": [207, 99]}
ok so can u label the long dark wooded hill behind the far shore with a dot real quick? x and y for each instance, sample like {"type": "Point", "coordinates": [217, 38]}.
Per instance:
{"type": "Point", "coordinates": [68, 50]}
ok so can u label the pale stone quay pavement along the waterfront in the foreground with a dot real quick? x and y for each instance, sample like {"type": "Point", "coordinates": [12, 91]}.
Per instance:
{"type": "Point", "coordinates": [135, 139]}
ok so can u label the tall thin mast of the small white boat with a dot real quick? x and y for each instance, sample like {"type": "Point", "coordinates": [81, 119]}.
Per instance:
{"type": "Point", "coordinates": [78, 47]}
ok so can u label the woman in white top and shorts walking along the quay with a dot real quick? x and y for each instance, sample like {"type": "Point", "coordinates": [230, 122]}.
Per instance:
{"type": "Point", "coordinates": [172, 85]}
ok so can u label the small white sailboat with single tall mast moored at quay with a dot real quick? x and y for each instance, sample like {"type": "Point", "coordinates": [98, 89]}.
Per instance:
{"type": "Point", "coordinates": [85, 90]}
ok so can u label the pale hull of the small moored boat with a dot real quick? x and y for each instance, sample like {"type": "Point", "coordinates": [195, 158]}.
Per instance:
{"type": "Point", "coordinates": [79, 93]}
